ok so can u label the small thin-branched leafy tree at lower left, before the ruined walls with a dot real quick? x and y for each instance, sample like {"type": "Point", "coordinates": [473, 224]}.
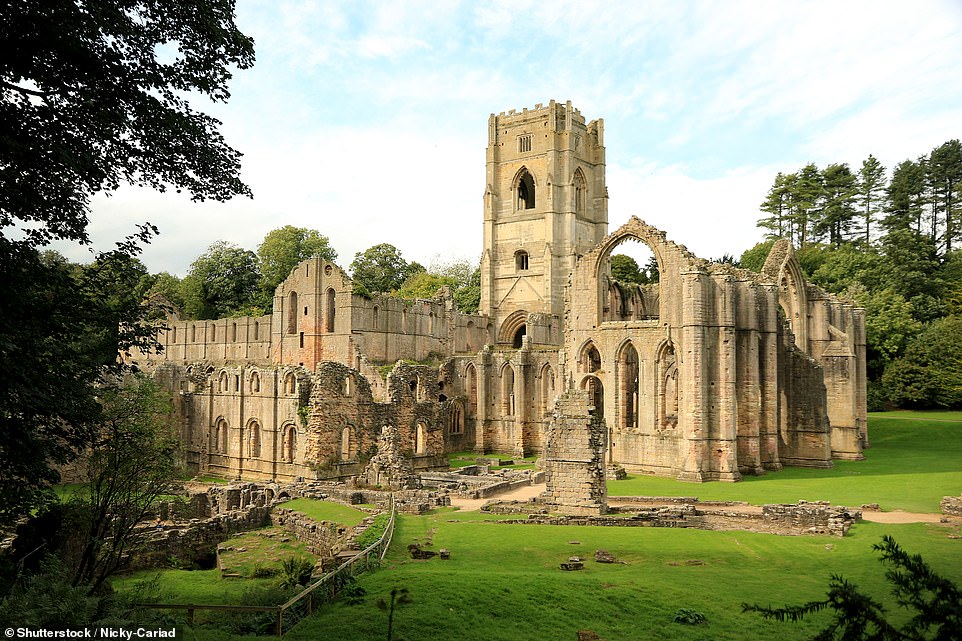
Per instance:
{"type": "Point", "coordinates": [132, 461]}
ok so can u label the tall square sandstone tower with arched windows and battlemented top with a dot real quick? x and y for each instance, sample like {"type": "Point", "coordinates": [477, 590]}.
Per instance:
{"type": "Point", "coordinates": [545, 203]}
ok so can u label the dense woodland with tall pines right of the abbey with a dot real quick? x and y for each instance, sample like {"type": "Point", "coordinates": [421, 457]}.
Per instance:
{"type": "Point", "coordinates": [892, 244]}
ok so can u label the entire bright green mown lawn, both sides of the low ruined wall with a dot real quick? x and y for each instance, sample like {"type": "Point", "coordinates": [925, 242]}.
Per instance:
{"type": "Point", "coordinates": [503, 581]}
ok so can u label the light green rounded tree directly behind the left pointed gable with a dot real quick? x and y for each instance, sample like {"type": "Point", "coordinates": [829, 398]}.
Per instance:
{"type": "Point", "coordinates": [282, 249]}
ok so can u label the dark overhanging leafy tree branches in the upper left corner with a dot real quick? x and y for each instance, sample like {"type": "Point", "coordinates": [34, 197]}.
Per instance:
{"type": "Point", "coordinates": [93, 94]}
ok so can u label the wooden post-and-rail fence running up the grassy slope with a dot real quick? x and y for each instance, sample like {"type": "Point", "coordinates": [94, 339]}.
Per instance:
{"type": "Point", "coordinates": [303, 604]}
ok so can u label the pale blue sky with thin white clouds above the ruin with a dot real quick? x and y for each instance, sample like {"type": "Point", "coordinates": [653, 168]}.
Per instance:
{"type": "Point", "coordinates": [368, 120]}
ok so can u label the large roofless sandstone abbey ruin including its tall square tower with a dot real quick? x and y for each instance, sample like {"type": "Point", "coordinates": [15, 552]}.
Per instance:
{"type": "Point", "coordinates": [711, 373]}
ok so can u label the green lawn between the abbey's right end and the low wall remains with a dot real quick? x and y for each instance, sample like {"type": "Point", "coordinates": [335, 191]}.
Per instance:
{"type": "Point", "coordinates": [911, 465]}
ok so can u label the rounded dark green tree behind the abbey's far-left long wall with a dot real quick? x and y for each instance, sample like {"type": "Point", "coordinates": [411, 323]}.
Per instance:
{"type": "Point", "coordinates": [221, 282]}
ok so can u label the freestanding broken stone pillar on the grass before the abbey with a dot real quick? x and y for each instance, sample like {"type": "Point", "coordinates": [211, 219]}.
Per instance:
{"type": "Point", "coordinates": [574, 459]}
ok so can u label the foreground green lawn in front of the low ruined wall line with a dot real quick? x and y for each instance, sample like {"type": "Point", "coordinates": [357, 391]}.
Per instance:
{"type": "Point", "coordinates": [503, 581]}
